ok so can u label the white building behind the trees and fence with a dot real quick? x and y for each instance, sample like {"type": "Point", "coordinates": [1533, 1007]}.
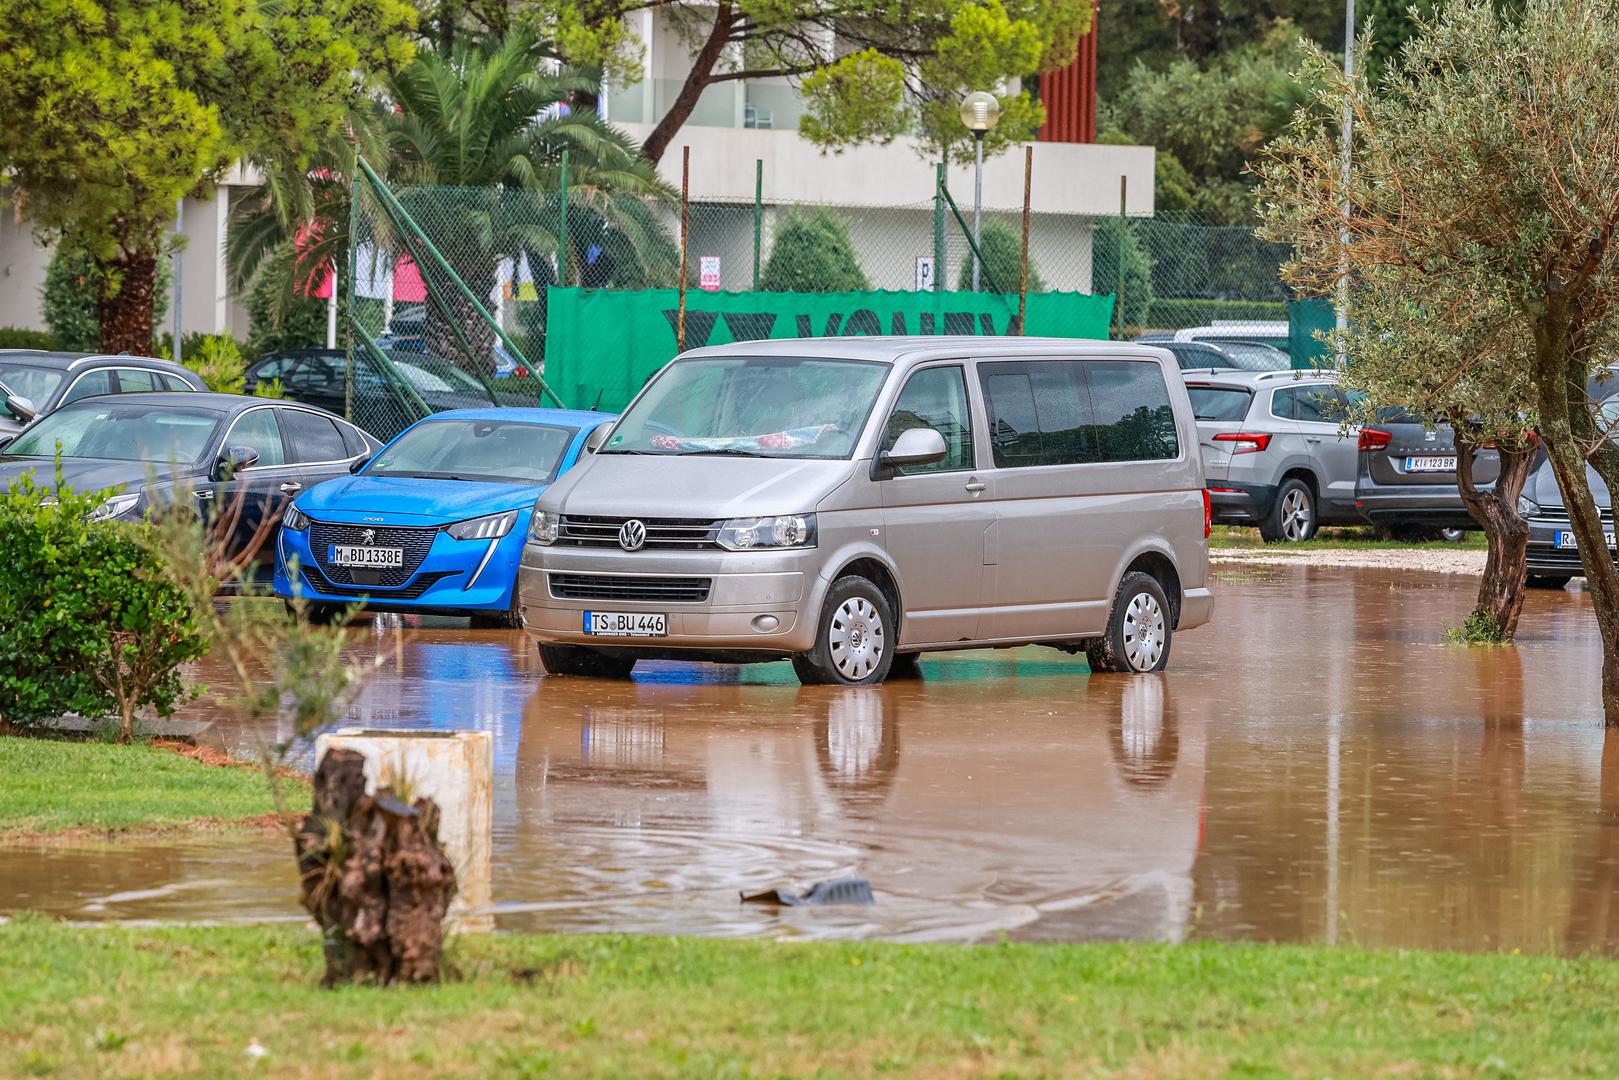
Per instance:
{"type": "Point", "coordinates": [885, 193]}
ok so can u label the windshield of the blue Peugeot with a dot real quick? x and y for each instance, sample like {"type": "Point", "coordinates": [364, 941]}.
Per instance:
{"type": "Point", "coordinates": [490, 451]}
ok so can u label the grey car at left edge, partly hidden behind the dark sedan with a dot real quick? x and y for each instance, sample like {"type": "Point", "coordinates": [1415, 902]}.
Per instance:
{"type": "Point", "coordinates": [35, 383]}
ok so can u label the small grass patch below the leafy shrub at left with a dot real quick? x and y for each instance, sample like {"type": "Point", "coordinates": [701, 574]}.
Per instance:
{"type": "Point", "coordinates": [49, 786]}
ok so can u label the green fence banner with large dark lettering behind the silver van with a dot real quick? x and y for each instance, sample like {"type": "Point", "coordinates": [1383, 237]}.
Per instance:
{"type": "Point", "coordinates": [601, 346]}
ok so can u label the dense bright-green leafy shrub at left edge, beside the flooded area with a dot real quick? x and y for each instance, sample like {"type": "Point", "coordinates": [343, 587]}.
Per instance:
{"type": "Point", "coordinates": [91, 621]}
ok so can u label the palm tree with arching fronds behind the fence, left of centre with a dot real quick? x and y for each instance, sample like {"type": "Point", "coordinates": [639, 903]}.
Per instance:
{"type": "Point", "coordinates": [472, 142]}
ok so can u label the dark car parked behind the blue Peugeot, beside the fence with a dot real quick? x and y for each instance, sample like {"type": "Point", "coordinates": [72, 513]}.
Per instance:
{"type": "Point", "coordinates": [386, 406]}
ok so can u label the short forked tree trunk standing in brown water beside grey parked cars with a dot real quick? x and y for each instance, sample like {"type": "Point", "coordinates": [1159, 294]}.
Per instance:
{"type": "Point", "coordinates": [1506, 534]}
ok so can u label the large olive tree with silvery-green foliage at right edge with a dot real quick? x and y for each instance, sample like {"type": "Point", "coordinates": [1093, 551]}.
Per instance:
{"type": "Point", "coordinates": [1477, 236]}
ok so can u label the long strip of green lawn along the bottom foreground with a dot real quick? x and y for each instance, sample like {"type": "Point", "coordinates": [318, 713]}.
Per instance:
{"type": "Point", "coordinates": [190, 1001]}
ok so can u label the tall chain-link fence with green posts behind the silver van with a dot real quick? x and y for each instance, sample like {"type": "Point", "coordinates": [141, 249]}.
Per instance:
{"type": "Point", "coordinates": [449, 304]}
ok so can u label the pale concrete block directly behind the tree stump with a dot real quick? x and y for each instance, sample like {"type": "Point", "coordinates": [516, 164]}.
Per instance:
{"type": "Point", "coordinates": [456, 770]}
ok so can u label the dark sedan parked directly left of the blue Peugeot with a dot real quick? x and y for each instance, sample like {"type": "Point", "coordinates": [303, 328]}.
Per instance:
{"type": "Point", "coordinates": [232, 456]}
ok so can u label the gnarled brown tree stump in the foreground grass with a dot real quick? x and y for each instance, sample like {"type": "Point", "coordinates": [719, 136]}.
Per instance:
{"type": "Point", "coordinates": [373, 877]}
